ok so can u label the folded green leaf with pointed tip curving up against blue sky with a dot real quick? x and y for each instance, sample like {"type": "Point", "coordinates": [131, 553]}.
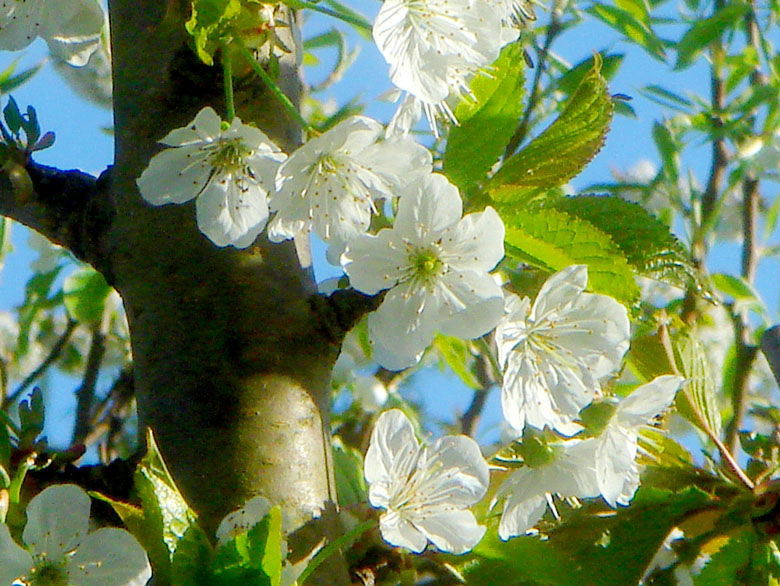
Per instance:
{"type": "Point", "coordinates": [564, 148]}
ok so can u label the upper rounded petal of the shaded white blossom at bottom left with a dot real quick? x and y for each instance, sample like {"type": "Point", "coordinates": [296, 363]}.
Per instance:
{"type": "Point", "coordinates": [57, 520]}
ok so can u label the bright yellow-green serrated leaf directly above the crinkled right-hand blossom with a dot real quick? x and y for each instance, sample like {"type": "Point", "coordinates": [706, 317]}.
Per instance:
{"type": "Point", "coordinates": [552, 240]}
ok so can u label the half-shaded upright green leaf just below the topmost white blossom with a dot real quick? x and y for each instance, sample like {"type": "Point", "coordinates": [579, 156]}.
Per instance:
{"type": "Point", "coordinates": [487, 119]}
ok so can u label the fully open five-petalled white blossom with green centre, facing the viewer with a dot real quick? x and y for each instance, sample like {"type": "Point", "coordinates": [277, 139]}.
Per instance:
{"type": "Point", "coordinates": [436, 265]}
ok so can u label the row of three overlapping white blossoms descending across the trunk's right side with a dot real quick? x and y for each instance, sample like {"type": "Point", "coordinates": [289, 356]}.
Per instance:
{"type": "Point", "coordinates": [434, 261]}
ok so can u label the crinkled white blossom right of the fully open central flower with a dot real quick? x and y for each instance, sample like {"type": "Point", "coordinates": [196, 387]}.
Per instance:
{"type": "Point", "coordinates": [555, 351]}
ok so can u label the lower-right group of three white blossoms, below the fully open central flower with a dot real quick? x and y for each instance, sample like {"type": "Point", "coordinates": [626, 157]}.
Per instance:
{"type": "Point", "coordinates": [555, 353]}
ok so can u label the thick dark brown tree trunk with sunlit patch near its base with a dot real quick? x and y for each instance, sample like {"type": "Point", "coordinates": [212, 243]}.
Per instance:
{"type": "Point", "coordinates": [231, 364]}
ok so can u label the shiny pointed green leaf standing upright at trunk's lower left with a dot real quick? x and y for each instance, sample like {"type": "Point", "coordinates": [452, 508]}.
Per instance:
{"type": "Point", "coordinates": [167, 516]}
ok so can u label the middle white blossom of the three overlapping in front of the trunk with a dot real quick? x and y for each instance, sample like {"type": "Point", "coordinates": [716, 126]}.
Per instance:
{"type": "Point", "coordinates": [330, 183]}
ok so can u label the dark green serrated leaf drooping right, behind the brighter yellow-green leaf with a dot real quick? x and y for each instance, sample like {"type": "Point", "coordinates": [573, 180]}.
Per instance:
{"type": "Point", "coordinates": [644, 240]}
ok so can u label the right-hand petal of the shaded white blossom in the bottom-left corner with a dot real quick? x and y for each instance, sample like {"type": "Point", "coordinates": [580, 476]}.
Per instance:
{"type": "Point", "coordinates": [109, 557]}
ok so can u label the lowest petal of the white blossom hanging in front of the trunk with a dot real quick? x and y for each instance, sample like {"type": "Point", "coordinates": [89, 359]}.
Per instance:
{"type": "Point", "coordinates": [232, 211]}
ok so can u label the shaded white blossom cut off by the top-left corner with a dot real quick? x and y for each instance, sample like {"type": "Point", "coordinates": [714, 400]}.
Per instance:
{"type": "Point", "coordinates": [71, 28]}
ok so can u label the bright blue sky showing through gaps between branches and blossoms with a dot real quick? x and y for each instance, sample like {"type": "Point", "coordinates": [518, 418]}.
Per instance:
{"type": "Point", "coordinates": [82, 142]}
